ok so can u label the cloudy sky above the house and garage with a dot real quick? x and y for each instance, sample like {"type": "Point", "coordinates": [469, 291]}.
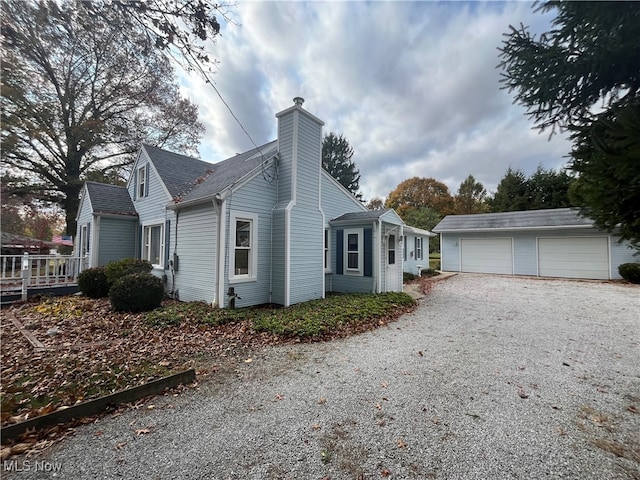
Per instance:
{"type": "Point", "coordinates": [413, 87]}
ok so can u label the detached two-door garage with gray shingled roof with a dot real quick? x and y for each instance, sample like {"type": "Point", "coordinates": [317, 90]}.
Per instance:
{"type": "Point", "coordinates": [546, 243]}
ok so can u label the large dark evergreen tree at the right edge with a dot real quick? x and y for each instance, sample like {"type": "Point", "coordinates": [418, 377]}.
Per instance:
{"type": "Point", "coordinates": [584, 76]}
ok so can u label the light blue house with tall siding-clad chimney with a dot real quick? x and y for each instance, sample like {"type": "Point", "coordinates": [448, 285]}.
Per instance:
{"type": "Point", "coordinates": [265, 226]}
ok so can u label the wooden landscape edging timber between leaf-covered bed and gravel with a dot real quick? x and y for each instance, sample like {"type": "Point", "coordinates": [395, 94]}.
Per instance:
{"type": "Point", "coordinates": [97, 405]}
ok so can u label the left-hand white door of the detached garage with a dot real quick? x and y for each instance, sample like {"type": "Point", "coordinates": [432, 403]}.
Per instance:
{"type": "Point", "coordinates": [492, 255]}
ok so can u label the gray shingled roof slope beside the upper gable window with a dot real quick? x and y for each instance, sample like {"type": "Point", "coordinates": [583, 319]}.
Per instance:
{"type": "Point", "coordinates": [178, 172]}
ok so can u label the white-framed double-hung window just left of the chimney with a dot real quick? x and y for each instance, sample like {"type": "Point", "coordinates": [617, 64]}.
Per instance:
{"type": "Point", "coordinates": [243, 257]}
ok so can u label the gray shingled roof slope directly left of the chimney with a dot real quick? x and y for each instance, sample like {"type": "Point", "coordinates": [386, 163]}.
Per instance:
{"type": "Point", "coordinates": [229, 171]}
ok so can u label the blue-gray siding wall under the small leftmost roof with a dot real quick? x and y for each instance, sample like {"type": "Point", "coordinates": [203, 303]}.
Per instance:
{"type": "Point", "coordinates": [117, 238]}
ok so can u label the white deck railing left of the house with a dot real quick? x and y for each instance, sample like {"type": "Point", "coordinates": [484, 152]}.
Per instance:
{"type": "Point", "coordinates": [21, 272]}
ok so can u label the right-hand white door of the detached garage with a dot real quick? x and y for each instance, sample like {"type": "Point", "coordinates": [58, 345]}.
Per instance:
{"type": "Point", "coordinates": [574, 257]}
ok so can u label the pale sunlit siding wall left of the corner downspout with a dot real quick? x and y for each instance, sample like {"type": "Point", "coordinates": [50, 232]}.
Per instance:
{"type": "Point", "coordinates": [195, 246]}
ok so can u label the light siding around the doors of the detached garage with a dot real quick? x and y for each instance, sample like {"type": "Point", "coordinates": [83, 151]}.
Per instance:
{"type": "Point", "coordinates": [525, 248]}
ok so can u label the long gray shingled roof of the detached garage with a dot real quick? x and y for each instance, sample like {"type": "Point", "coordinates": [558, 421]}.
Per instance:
{"type": "Point", "coordinates": [530, 219]}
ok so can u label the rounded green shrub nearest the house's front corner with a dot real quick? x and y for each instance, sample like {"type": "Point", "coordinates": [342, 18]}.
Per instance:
{"type": "Point", "coordinates": [138, 292]}
